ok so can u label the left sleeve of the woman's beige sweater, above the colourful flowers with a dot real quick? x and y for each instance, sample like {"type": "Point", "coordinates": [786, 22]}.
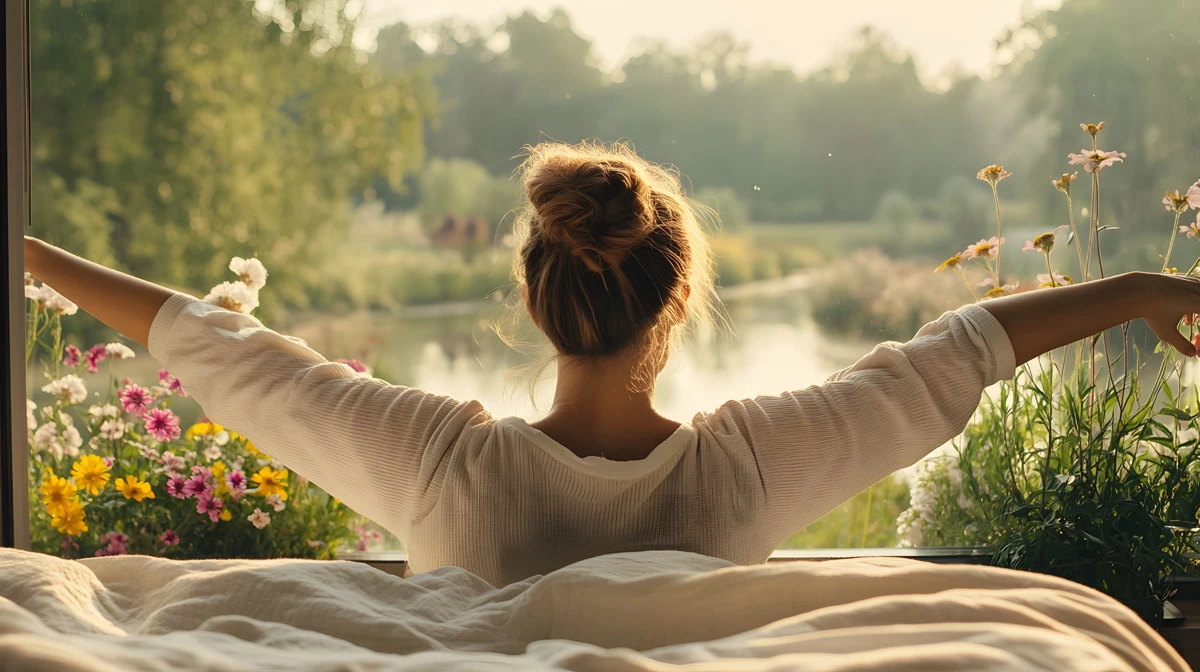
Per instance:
{"type": "Point", "coordinates": [374, 446]}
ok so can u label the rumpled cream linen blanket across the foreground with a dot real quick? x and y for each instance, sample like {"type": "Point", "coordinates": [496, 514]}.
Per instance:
{"type": "Point", "coordinates": [653, 611]}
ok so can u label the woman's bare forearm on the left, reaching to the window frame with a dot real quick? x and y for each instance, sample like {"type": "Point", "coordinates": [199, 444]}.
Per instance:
{"type": "Point", "coordinates": [122, 302]}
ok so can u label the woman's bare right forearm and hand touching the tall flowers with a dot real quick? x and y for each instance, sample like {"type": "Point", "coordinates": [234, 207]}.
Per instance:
{"type": "Point", "coordinates": [1039, 322]}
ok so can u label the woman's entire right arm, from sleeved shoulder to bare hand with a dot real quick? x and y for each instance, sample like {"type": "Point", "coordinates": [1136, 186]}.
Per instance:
{"type": "Point", "coordinates": [818, 447]}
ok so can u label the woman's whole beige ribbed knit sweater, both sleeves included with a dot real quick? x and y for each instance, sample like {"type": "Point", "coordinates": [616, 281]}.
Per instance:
{"type": "Point", "coordinates": [502, 500]}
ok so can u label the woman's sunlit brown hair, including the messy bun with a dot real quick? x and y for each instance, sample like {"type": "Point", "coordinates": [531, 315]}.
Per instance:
{"type": "Point", "coordinates": [611, 253]}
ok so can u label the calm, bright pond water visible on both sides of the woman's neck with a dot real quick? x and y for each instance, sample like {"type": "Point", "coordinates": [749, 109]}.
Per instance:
{"type": "Point", "coordinates": [773, 346]}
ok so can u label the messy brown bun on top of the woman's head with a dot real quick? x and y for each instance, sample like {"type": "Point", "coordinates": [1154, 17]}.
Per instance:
{"type": "Point", "coordinates": [597, 209]}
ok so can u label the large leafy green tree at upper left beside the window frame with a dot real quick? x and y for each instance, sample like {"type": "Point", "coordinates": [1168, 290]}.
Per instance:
{"type": "Point", "coordinates": [172, 135]}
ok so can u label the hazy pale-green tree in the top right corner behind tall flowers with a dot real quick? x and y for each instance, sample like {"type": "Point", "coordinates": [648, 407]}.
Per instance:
{"type": "Point", "coordinates": [1133, 65]}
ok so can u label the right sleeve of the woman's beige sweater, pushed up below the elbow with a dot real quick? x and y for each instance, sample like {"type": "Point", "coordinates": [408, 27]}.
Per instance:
{"type": "Point", "coordinates": [819, 447]}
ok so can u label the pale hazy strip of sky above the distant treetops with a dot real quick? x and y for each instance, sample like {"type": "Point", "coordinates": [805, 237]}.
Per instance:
{"type": "Point", "coordinates": [800, 33]}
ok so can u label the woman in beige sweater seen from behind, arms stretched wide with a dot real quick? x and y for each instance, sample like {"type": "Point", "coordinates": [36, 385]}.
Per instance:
{"type": "Point", "coordinates": [613, 263]}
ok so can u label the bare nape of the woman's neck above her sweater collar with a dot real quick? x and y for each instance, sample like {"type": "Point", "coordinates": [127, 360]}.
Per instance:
{"type": "Point", "coordinates": [597, 413]}
